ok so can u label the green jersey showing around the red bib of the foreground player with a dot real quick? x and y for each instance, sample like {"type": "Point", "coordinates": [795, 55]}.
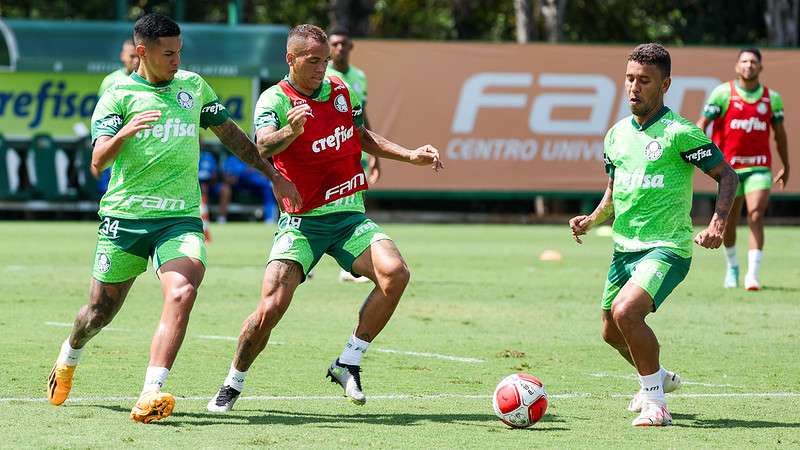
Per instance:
{"type": "Point", "coordinates": [271, 110]}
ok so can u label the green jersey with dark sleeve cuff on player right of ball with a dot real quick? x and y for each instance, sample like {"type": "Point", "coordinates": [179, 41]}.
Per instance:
{"type": "Point", "coordinates": [652, 167]}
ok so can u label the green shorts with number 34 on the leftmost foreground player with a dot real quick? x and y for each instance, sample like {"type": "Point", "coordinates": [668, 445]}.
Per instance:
{"type": "Point", "coordinates": [124, 245]}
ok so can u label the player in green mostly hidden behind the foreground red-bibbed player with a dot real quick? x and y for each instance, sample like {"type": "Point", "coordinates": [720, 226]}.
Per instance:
{"type": "Point", "coordinates": [341, 47]}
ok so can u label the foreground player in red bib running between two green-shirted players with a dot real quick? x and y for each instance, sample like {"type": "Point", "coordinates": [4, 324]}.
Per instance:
{"type": "Point", "coordinates": [312, 127]}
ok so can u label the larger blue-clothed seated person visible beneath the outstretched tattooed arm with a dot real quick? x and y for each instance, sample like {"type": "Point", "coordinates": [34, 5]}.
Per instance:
{"type": "Point", "coordinates": [238, 176]}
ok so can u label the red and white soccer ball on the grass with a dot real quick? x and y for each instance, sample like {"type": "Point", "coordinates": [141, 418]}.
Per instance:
{"type": "Point", "coordinates": [520, 400]}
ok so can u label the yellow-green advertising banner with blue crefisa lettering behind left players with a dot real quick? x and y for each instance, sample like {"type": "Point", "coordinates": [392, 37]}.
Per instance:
{"type": "Point", "coordinates": [62, 104]}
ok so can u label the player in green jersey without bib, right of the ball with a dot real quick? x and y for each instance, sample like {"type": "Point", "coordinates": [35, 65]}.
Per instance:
{"type": "Point", "coordinates": [650, 159]}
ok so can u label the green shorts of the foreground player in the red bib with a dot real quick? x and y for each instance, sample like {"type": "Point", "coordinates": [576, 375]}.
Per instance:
{"type": "Point", "coordinates": [344, 236]}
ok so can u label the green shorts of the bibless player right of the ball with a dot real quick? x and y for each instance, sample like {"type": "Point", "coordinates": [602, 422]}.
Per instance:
{"type": "Point", "coordinates": [658, 271]}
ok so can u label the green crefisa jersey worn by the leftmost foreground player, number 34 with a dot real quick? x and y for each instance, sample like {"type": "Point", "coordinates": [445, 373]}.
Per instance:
{"type": "Point", "coordinates": [155, 172]}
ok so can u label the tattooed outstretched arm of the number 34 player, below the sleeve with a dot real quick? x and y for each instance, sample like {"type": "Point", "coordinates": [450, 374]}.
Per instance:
{"type": "Point", "coordinates": [237, 141]}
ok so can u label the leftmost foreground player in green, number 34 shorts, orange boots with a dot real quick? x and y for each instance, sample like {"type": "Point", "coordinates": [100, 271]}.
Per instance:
{"type": "Point", "coordinates": [147, 128]}
